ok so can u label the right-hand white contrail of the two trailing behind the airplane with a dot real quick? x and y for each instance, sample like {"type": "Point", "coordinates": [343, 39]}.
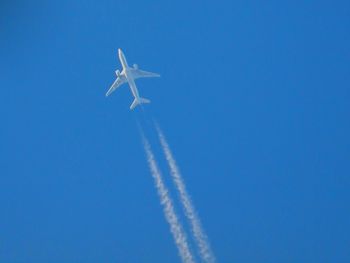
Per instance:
{"type": "Point", "coordinates": [197, 230]}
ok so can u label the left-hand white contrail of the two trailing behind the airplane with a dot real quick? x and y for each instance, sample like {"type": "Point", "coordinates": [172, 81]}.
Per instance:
{"type": "Point", "coordinates": [176, 229]}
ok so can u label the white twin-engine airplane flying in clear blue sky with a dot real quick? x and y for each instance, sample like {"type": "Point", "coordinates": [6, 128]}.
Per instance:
{"type": "Point", "coordinates": [129, 74]}
